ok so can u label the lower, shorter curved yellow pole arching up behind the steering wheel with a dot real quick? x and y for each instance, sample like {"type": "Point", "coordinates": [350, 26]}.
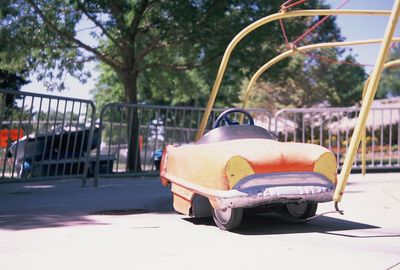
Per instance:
{"type": "Point", "coordinates": [291, 52]}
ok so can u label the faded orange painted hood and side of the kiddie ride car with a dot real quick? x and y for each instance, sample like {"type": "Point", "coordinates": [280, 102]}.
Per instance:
{"type": "Point", "coordinates": [205, 164]}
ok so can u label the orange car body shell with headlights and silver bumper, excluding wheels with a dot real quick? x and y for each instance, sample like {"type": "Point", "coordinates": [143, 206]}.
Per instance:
{"type": "Point", "coordinates": [207, 169]}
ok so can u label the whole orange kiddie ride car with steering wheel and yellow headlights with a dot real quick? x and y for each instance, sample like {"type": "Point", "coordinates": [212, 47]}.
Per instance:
{"type": "Point", "coordinates": [233, 167]}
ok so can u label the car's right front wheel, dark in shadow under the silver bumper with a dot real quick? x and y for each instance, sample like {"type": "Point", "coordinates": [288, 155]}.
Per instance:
{"type": "Point", "coordinates": [300, 212]}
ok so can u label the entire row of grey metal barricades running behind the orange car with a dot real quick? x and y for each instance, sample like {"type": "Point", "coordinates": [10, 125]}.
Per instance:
{"type": "Point", "coordinates": [43, 136]}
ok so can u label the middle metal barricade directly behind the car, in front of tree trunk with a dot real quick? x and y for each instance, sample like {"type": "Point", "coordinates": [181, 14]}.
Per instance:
{"type": "Point", "coordinates": [155, 127]}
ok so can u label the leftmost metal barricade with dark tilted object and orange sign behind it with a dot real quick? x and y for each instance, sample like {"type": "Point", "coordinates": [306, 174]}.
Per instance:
{"type": "Point", "coordinates": [44, 136]}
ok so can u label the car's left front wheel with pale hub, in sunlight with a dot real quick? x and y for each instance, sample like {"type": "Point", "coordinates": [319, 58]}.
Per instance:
{"type": "Point", "coordinates": [228, 219]}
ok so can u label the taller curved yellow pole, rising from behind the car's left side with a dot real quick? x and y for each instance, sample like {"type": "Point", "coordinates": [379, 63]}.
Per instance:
{"type": "Point", "coordinates": [255, 25]}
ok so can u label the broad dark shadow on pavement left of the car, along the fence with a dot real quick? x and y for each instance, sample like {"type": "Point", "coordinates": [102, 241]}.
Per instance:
{"type": "Point", "coordinates": [26, 206]}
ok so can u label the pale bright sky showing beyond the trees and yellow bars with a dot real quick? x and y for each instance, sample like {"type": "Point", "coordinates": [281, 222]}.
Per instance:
{"type": "Point", "coordinates": [352, 28]}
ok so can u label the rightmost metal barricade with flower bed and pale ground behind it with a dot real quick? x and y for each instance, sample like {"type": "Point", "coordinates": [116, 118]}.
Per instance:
{"type": "Point", "coordinates": [332, 128]}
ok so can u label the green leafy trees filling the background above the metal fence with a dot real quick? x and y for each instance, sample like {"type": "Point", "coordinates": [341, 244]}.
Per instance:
{"type": "Point", "coordinates": [168, 52]}
